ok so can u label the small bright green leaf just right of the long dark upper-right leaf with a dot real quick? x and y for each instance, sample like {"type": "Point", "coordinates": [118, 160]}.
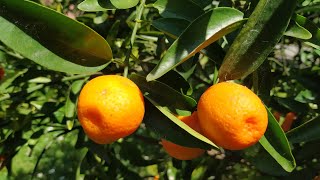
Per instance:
{"type": "Point", "coordinates": [297, 31]}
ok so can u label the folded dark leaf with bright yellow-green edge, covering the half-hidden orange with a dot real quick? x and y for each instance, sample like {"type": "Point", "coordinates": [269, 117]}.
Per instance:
{"type": "Point", "coordinates": [169, 127]}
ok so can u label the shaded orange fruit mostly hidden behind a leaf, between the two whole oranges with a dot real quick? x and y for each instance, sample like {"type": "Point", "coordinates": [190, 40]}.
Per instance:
{"type": "Point", "coordinates": [182, 152]}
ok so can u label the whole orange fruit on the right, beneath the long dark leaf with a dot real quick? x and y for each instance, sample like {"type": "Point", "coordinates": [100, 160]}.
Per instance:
{"type": "Point", "coordinates": [232, 116]}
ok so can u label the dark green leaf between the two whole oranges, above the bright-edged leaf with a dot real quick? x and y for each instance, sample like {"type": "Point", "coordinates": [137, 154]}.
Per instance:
{"type": "Point", "coordinates": [164, 95]}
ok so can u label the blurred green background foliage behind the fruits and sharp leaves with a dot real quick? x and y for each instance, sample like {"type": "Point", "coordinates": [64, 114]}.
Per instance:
{"type": "Point", "coordinates": [40, 137]}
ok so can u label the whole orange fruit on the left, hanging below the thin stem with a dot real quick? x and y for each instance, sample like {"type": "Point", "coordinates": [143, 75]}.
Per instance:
{"type": "Point", "coordinates": [110, 107]}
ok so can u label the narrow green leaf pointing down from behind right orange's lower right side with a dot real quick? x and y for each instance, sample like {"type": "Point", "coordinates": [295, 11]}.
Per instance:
{"type": "Point", "coordinates": [276, 144]}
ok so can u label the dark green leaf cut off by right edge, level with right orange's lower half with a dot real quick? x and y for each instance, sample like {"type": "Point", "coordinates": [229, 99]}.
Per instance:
{"type": "Point", "coordinates": [306, 132]}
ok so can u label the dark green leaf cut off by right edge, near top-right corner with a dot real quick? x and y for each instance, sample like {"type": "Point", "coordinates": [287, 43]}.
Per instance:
{"type": "Point", "coordinates": [311, 27]}
